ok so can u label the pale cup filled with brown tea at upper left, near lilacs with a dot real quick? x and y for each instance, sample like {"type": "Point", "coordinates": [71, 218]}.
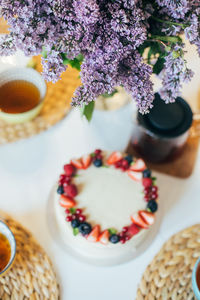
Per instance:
{"type": "Point", "coordinates": [22, 93]}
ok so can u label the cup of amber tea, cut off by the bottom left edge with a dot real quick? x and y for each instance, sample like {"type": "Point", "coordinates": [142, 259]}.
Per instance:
{"type": "Point", "coordinates": [7, 248]}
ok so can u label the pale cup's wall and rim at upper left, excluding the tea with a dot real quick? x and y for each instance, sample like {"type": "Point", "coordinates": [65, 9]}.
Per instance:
{"type": "Point", "coordinates": [32, 76]}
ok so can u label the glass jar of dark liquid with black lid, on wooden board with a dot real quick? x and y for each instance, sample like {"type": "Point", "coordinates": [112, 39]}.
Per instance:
{"type": "Point", "coordinates": [160, 135]}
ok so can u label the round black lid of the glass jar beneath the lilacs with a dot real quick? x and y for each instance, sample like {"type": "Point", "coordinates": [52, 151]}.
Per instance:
{"type": "Point", "coordinates": [167, 120]}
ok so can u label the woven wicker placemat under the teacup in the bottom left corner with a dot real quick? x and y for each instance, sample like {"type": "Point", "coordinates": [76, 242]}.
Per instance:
{"type": "Point", "coordinates": [31, 276]}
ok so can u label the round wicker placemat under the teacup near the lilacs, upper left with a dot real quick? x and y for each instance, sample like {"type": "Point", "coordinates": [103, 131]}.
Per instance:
{"type": "Point", "coordinates": [56, 106]}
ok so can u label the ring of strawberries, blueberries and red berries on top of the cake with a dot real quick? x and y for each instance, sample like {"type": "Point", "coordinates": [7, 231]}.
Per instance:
{"type": "Point", "coordinates": [135, 169]}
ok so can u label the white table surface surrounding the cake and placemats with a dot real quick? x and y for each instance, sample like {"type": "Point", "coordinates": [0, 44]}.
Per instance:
{"type": "Point", "coordinates": [28, 170]}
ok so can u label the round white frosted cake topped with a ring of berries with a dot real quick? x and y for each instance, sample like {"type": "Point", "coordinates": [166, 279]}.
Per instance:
{"type": "Point", "coordinates": [105, 204]}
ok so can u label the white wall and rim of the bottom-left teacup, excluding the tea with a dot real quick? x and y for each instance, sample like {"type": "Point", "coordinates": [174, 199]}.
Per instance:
{"type": "Point", "coordinates": [5, 230]}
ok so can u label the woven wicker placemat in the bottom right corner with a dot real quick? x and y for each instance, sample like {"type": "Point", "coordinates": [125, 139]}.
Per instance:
{"type": "Point", "coordinates": [169, 274]}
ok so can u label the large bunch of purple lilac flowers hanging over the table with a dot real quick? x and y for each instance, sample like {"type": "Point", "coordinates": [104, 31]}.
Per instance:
{"type": "Point", "coordinates": [112, 42]}
